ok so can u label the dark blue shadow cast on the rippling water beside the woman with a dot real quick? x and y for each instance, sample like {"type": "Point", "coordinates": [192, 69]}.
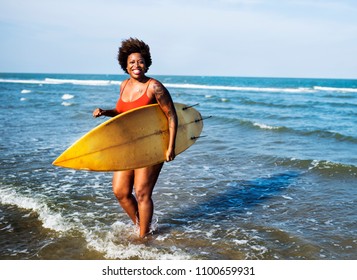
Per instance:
{"type": "Point", "coordinates": [237, 198]}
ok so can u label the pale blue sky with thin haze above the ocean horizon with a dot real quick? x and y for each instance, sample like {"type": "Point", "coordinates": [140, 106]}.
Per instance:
{"type": "Point", "coordinates": [261, 38]}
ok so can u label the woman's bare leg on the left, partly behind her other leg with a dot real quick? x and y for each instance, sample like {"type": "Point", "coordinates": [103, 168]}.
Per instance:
{"type": "Point", "coordinates": [123, 190]}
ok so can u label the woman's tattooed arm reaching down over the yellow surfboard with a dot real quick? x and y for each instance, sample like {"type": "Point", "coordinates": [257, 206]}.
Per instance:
{"type": "Point", "coordinates": [166, 104]}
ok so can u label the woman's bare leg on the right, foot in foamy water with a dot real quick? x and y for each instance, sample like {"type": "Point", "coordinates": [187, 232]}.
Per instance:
{"type": "Point", "coordinates": [145, 180]}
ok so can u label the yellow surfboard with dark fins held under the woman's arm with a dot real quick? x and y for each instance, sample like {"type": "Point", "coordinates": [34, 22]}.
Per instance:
{"type": "Point", "coordinates": [134, 139]}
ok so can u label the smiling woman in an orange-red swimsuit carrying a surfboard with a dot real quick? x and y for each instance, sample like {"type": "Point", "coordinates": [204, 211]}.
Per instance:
{"type": "Point", "coordinates": [139, 90]}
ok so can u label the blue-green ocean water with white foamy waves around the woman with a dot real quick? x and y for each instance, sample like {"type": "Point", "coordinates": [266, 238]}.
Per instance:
{"type": "Point", "coordinates": [275, 176]}
